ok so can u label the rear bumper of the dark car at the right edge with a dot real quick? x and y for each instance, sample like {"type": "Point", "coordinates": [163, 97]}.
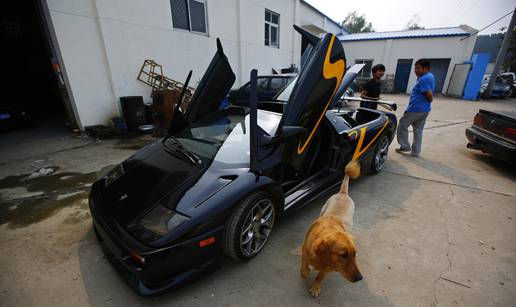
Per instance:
{"type": "Point", "coordinates": [490, 143]}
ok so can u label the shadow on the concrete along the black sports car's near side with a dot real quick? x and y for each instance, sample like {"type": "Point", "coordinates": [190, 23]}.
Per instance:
{"type": "Point", "coordinates": [273, 276]}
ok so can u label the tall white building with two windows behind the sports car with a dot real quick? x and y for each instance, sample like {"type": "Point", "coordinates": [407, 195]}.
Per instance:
{"type": "Point", "coordinates": [101, 44]}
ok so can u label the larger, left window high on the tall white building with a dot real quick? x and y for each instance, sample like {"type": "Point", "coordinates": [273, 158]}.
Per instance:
{"type": "Point", "coordinates": [189, 15]}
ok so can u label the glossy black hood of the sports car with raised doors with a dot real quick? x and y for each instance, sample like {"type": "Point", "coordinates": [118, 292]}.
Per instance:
{"type": "Point", "coordinates": [156, 175]}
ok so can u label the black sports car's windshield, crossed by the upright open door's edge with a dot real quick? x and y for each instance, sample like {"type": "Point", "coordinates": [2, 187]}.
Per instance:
{"type": "Point", "coordinates": [224, 136]}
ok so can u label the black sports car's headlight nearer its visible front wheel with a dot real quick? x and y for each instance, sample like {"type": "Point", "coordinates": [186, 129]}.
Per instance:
{"type": "Point", "coordinates": [162, 220]}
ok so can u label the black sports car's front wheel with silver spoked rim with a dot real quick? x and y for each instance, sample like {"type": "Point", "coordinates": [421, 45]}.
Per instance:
{"type": "Point", "coordinates": [249, 226]}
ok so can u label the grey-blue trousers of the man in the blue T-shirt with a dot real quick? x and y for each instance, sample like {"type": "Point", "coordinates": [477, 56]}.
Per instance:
{"type": "Point", "coordinates": [417, 121]}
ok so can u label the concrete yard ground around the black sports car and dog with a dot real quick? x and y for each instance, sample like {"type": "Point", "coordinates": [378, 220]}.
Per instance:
{"type": "Point", "coordinates": [431, 231]}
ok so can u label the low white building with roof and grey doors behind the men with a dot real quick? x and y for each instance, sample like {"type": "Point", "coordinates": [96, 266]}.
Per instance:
{"type": "Point", "coordinates": [399, 50]}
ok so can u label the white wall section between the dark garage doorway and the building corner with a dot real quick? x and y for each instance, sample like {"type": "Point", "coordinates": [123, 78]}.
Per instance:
{"type": "Point", "coordinates": [76, 28]}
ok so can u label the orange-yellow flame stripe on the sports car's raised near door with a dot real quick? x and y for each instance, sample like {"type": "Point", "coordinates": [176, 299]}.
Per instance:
{"type": "Point", "coordinates": [330, 70]}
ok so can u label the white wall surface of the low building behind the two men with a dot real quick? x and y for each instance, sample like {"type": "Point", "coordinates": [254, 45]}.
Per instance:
{"type": "Point", "coordinates": [389, 51]}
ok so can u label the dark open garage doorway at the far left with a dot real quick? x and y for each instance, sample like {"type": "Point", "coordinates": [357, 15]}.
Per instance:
{"type": "Point", "coordinates": [33, 96]}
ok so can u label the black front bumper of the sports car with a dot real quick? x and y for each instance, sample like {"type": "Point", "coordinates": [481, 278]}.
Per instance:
{"type": "Point", "coordinates": [165, 268]}
